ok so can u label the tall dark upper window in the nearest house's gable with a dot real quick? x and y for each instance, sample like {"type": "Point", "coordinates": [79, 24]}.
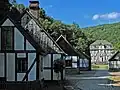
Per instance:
{"type": "Point", "coordinates": [7, 38]}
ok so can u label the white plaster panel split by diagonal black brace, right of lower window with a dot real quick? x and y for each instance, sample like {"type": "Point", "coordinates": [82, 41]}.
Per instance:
{"type": "Point", "coordinates": [32, 74]}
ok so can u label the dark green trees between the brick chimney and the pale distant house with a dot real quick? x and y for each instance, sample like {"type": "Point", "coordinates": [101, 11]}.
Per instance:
{"type": "Point", "coordinates": [72, 32]}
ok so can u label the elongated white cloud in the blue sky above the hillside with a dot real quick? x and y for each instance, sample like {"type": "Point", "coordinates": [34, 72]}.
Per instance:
{"type": "Point", "coordinates": [113, 15]}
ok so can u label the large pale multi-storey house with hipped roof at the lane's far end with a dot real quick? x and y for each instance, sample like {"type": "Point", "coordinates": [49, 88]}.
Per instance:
{"type": "Point", "coordinates": [101, 52]}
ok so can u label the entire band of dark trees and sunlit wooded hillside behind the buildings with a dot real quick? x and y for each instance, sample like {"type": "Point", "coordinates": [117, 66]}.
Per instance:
{"type": "Point", "coordinates": [80, 38]}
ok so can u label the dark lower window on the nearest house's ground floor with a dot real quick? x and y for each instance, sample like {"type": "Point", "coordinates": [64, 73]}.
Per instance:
{"type": "Point", "coordinates": [22, 65]}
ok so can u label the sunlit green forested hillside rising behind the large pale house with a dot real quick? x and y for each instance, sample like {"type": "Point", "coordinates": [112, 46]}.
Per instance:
{"type": "Point", "coordinates": [109, 32]}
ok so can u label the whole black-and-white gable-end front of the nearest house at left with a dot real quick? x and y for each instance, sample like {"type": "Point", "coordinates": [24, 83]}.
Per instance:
{"type": "Point", "coordinates": [17, 53]}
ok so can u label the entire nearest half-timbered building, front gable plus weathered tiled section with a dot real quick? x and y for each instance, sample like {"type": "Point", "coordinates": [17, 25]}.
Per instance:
{"type": "Point", "coordinates": [25, 48]}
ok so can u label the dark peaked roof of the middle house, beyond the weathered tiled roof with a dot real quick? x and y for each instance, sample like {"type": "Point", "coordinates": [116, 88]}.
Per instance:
{"type": "Point", "coordinates": [68, 48]}
